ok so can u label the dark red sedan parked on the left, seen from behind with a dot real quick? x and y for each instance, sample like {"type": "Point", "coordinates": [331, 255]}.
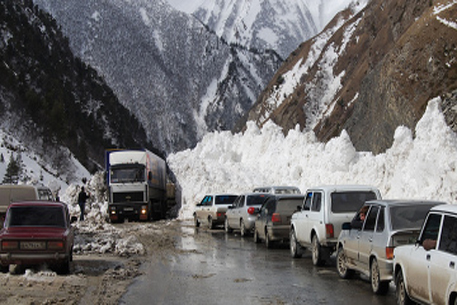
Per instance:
{"type": "Point", "coordinates": [37, 232]}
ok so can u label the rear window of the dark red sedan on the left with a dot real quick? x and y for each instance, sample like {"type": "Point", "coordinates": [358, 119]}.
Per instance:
{"type": "Point", "coordinates": [38, 216]}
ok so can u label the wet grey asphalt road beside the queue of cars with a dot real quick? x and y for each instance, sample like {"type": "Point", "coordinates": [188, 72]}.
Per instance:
{"type": "Point", "coordinates": [212, 267]}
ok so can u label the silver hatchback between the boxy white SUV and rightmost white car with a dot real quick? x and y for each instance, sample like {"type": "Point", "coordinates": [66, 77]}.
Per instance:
{"type": "Point", "coordinates": [367, 243]}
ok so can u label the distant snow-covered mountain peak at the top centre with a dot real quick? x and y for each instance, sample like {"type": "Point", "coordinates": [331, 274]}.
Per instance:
{"type": "Point", "coordinates": [280, 25]}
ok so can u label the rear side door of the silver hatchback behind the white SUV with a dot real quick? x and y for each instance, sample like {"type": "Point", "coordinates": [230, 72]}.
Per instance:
{"type": "Point", "coordinates": [366, 237]}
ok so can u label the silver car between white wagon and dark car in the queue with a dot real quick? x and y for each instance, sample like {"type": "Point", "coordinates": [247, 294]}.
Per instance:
{"type": "Point", "coordinates": [243, 213]}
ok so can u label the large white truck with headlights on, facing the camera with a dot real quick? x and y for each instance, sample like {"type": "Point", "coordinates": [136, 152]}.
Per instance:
{"type": "Point", "coordinates": [137, 185]}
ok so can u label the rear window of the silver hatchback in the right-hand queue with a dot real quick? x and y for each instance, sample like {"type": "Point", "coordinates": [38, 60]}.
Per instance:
{"type": "Point", "coordinates": [408, 217]}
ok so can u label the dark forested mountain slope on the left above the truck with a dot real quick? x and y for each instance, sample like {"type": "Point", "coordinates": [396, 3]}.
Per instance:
{"type": "Point", "coordinates": [52, 102]}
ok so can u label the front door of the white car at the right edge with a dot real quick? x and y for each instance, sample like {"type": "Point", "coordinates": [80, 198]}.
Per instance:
{"type": "Point", "coordinates": [419, 261]}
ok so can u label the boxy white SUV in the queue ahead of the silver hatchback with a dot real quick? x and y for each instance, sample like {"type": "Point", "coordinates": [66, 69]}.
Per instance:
{"type": "Point", "coordinates": [318, 223]}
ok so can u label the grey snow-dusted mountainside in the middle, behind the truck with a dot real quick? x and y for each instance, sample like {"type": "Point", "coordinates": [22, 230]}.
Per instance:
{"type": "Point", "coordinates": [174, 74]}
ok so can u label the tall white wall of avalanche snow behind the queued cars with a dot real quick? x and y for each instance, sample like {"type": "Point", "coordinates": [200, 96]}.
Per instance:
{"type": "Point", "coordinates": [421, 167]}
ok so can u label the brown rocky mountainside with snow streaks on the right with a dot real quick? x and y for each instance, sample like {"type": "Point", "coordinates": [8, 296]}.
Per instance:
{"type": "Point", "coordinates": [366, 73]}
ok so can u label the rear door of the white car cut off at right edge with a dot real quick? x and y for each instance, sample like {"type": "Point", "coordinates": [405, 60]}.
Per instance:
{"type": "Point", "coordinates": [442, 263]}
